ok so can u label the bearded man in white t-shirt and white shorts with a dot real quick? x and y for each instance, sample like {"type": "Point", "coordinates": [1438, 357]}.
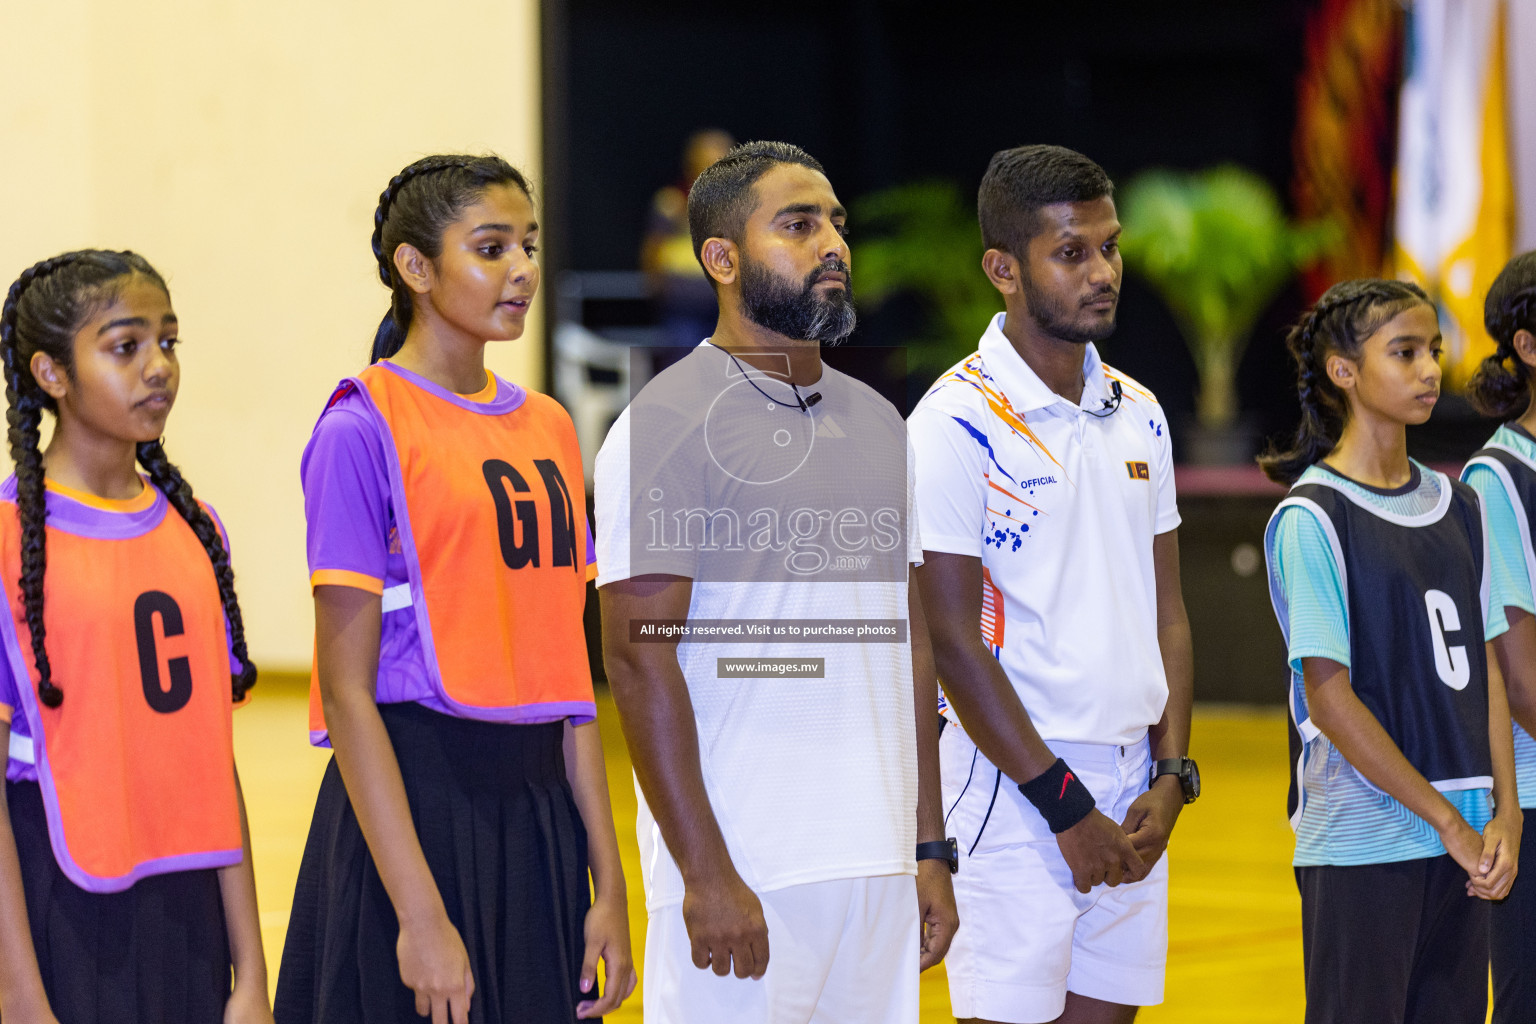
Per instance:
{"type": "Point", "coordinates": [767, 655]}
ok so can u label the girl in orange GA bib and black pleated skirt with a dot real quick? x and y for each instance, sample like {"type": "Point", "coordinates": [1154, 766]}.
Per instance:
{"type": "Point", "coordinates": [466, 805]}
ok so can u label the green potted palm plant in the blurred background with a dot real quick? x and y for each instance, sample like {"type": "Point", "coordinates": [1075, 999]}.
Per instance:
{"type": "Point", "coordinates": [1217, 248]}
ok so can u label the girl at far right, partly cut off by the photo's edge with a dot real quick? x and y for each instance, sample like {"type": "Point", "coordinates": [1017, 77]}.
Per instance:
{"type": "Point", "coordinates": [1505, 475]}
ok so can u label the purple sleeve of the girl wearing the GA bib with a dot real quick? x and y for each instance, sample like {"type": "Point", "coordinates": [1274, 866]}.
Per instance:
{"type": "Point", "coordinates": [346, 495]}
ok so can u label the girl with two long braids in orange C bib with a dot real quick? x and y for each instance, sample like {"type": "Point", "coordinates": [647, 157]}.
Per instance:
{"type": "Point", "coordinates": [127, 891]}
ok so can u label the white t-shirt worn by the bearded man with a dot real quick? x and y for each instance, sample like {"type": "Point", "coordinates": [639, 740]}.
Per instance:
{"type": "Point", "coordinates": [810, 779]}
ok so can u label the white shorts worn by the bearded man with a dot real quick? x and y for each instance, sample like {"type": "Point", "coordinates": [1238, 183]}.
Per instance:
{"type": "Point", "coordinates": [839, 953]}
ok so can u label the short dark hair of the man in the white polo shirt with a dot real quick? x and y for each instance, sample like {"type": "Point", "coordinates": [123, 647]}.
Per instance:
{"type": "Point", "coordinates": [1021, 180]}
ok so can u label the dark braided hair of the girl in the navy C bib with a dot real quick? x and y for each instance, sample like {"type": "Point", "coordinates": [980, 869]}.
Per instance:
{"type": "Point", "coordinates": [1340, 323]}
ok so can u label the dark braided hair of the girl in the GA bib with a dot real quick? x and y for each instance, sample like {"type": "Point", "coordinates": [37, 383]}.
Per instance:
{"type": "Point", "coordinates": [415, 208]}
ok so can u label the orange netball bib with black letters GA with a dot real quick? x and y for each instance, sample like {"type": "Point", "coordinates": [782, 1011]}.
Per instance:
{"type": "Point", "coordinates": [492, 520]}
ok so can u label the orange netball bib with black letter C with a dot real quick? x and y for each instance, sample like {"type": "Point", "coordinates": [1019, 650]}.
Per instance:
{"type": "Point", "coordinates": [137, 765]}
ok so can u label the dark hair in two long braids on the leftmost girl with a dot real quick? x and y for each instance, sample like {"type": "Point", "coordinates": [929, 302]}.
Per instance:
{"type": "Point", "coordinates": [44, 311]}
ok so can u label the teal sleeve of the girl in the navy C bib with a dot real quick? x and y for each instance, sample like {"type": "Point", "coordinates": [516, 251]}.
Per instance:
{"type": "Point", "coordinates": [1313, 587]}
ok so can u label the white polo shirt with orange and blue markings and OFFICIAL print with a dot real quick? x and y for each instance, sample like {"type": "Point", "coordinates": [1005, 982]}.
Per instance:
{"type": "Point", "coordinates": [1062, 507]}
